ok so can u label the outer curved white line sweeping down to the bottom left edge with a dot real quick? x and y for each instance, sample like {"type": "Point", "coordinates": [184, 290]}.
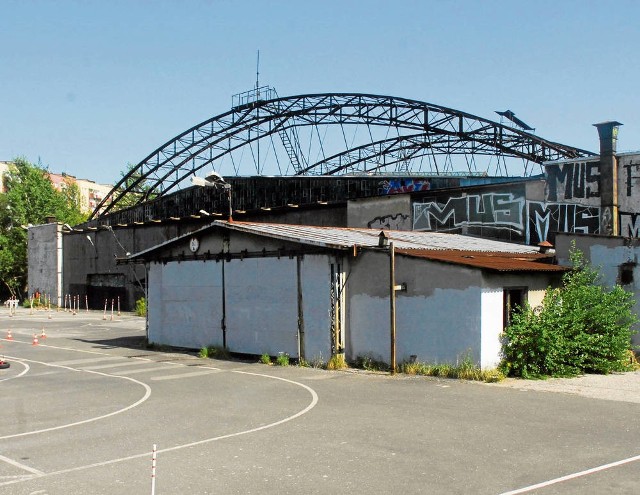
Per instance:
{"type": "Point", "coordinates": [312, 404]}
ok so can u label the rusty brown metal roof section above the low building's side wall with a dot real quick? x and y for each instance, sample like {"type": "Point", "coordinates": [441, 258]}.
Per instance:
{"type": "Point", "coordinates": [503, 262]}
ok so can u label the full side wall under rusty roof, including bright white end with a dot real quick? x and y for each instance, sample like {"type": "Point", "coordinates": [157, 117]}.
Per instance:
{"type": "Point", "coordinates": [447, 313]}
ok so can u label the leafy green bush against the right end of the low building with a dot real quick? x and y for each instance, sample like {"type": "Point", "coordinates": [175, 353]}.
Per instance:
{"type": "Point", "coordinates": [581, 327]}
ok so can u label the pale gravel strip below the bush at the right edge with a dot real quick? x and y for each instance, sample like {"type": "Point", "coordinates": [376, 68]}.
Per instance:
{"type": "Point", "coordinates": [623, 387]}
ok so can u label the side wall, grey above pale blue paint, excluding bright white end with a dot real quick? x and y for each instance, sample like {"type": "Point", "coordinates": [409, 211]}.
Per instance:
{"type": "Point", "coordinates": [429, 320]}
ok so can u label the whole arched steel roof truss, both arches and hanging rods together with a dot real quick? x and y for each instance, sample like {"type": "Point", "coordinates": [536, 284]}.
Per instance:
{"type": "Point", "coordinates": [422, 130]}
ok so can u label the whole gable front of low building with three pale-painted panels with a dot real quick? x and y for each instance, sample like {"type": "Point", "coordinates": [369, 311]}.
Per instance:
{"type": "Point", "coordinates": [263, 300]}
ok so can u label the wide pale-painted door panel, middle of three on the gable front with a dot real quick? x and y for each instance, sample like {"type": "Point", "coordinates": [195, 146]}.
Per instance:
{"type": "Point", "coordinates": [262, 306]}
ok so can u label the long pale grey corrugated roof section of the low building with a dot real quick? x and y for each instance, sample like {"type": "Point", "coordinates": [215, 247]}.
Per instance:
{"type": "Point", "coordinates": [346, 238]}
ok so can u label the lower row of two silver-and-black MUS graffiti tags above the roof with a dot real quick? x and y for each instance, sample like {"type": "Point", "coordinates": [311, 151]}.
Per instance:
{"type": "Point", "coordinates": [530, 221]}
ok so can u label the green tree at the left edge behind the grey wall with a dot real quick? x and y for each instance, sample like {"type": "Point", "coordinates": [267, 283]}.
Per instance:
{"type": "Point", "coordinates": [30, 199]}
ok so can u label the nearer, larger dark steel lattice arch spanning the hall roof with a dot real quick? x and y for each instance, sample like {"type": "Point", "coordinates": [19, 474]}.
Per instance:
{"type": "Point", "coordinates": [321, 109]}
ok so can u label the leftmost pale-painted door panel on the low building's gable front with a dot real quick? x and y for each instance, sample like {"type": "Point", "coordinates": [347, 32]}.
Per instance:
{"type": "Point", "coordinates": [185, 303]}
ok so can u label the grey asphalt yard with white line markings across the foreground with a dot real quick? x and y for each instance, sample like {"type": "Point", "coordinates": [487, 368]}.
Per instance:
{"type": "Point", "coordinates": [83, 409]}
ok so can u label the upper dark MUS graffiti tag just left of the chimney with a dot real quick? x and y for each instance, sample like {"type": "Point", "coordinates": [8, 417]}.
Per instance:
{"type": "Point", "coordinates": [578, 180]}
